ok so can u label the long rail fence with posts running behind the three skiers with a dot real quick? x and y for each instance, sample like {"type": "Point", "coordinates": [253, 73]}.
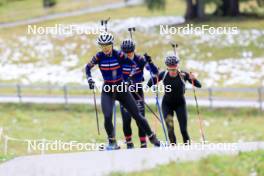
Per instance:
{"type": "Point", "coordinates": [209, 94]}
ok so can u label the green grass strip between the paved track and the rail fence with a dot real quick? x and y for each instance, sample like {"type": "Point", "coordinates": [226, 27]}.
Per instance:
{"type": "Point", "coordinates": [78, 123]}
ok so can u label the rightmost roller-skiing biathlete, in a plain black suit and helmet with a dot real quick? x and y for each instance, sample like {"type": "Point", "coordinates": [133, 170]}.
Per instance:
{"type": "Point", "coordinates": [174, 100]}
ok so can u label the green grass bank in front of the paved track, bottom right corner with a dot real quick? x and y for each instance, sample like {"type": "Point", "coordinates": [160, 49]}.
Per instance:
{"type": "Point", "coordinates": [243, 164]}
